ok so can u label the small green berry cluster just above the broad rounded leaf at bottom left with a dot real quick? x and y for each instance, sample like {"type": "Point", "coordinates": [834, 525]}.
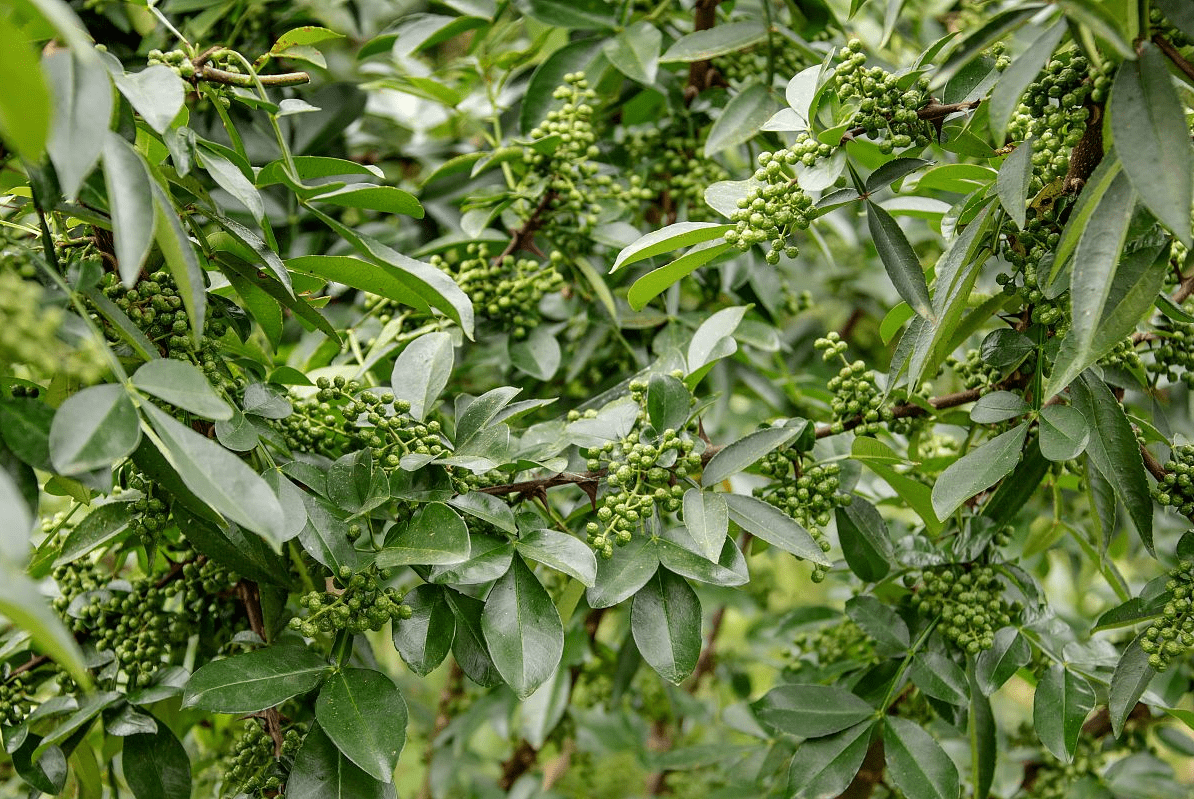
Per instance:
{"type": "Point", "coordinates": [360, 605]}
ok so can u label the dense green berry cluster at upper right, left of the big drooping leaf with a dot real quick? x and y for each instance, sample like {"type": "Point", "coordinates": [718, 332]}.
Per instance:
{"type": "Point", "coordinates": [1055, 112]}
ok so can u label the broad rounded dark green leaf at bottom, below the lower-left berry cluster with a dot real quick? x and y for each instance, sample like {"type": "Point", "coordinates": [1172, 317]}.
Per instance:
{"type": "Point", "coordinates": [365, 715]}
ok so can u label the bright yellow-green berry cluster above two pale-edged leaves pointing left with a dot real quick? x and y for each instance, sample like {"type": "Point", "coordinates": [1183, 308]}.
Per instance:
{"type": "Point", "coordinates": [777, 207]}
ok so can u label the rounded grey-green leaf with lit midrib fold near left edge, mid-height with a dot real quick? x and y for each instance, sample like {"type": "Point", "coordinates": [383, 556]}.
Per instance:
{"type": "Point", "coordinates": [93, 429]}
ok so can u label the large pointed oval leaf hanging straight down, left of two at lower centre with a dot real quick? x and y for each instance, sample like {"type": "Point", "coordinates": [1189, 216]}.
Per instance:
{"type": "Point", "coordinates": [524, 630]}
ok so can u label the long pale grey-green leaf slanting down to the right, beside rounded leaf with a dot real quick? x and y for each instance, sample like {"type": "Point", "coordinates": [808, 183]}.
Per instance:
{"type": "Point", "coordinates": [218, 477]}
